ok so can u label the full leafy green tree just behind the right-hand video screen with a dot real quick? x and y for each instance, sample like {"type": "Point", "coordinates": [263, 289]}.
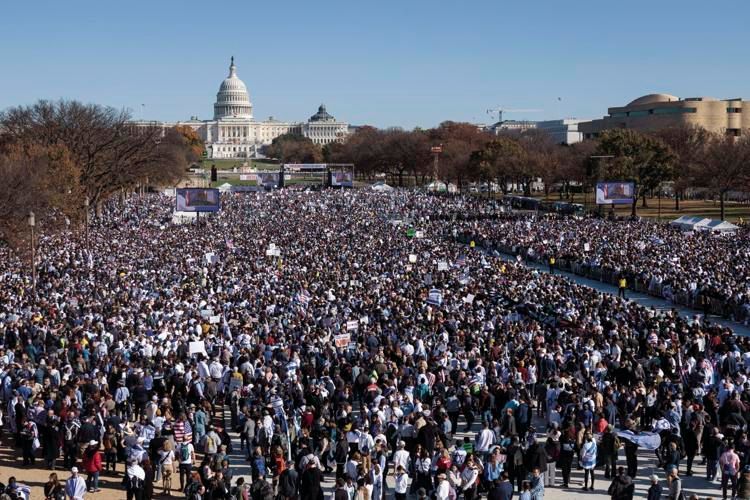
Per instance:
{"type": "Point", "coordinates": [644, 159]}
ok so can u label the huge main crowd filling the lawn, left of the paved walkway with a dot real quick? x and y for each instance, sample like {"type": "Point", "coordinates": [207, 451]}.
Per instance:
{"type": "Point", "coordinates": [347, 336]}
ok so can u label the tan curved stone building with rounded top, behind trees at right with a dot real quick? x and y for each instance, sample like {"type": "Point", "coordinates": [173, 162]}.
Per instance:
{"type": "Point", "coordinates": [658, 111]}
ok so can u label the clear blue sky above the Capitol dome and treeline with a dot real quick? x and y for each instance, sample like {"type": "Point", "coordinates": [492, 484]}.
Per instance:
{"type": "Point", "coordinates": [389, 63]}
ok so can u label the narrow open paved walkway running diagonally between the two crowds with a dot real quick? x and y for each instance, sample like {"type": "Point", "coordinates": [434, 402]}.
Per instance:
{"type": "Point", "coordinates": [640, 298]}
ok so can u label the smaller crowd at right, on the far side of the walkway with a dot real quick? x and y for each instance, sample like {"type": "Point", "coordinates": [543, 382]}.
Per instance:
{"type": "Point", "coordinates": [694, 266]}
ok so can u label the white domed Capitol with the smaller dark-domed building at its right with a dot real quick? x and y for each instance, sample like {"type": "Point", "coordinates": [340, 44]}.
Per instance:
{"type": "Point", "coordinates": [234, 133]}
